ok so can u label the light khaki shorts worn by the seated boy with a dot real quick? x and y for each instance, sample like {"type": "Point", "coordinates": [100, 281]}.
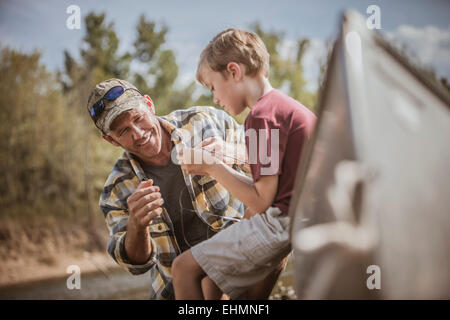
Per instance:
{"type": "Point", "coordinates": [246, 252]}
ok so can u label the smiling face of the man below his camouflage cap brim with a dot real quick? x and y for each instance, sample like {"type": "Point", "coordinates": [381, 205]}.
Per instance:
{"type": "Point", "coordinates": [138, 131]}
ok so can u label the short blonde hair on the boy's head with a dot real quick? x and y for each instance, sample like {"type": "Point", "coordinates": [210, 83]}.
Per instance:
{"type": "Point", "coordinates": [234, 45]}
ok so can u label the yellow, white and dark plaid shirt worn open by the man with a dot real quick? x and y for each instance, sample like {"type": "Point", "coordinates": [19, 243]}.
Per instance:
{"type": "Point", "coordinates": [187, 127]}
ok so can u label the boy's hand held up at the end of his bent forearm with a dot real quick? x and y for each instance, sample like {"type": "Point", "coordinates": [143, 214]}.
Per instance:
{"type": "Point", "coordinates": [196, 161]}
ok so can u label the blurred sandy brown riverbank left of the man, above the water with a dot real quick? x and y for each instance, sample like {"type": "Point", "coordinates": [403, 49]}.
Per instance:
{"type": "Point", "coordinates": [35, 251]}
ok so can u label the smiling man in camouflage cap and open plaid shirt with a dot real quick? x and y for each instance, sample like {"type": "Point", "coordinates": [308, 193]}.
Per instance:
{"type": "Point", "coordinates": [153, 210]}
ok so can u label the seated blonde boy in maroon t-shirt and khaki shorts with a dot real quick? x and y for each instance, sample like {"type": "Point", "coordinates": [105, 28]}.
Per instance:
{"type": "Point", "coordinates": [235, 67]}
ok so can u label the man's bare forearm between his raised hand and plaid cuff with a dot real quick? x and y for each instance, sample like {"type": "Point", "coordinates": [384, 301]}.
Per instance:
{"type": "Point", "coordinates": [138, 245]}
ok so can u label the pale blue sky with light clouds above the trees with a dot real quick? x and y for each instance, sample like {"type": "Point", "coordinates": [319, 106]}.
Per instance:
{"type": "Point", "coordinates": [424, 26]}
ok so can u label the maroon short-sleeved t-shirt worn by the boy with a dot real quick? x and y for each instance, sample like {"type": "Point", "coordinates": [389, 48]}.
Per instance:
{"type": "Point", "coordinates": [277, 114]}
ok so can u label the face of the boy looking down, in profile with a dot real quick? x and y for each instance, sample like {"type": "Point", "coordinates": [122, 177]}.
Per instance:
{"type": "Point", "coordinates": [227, 92]}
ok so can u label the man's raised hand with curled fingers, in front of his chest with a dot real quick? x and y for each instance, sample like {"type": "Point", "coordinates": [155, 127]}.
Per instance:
{"type": "Point", "coordinates": [144, 205]}
